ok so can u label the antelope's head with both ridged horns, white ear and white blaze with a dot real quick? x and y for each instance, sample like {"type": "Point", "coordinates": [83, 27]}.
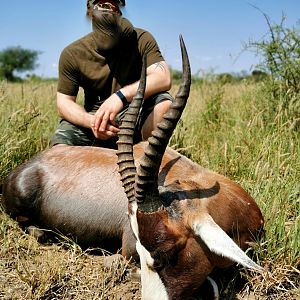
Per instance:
{"type": "Point", "coordinates": [175, 255]}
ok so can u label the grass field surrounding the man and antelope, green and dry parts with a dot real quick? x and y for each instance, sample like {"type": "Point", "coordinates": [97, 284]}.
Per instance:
{"type": "Point", "coordinates": [234, 129]}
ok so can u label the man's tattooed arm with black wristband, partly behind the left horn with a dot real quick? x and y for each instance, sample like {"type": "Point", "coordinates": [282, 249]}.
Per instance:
{"type": "Point", "coordinates": [158, 80]}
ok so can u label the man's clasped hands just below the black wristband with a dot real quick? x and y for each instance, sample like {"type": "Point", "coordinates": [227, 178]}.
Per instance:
{"type": "Point", "coordinates": [103, 124]}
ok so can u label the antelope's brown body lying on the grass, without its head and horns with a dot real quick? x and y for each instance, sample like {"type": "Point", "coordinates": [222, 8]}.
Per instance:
{"type": "Point", "coordinates": [77, 190]}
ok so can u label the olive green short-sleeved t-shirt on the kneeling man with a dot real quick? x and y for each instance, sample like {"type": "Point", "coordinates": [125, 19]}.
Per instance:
{"type": "Point", "coordinates": [101, 74]}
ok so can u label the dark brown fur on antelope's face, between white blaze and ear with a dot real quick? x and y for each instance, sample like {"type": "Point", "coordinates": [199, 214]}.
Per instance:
{"type": "Point", "coordinates": [181, 260]}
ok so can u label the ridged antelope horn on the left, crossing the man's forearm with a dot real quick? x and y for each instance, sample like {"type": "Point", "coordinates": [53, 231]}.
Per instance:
{"type": "Point", "coordinates": [126, 164]}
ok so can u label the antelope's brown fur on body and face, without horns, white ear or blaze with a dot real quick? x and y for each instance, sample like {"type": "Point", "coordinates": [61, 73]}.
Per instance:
{"type": "Point", "coordinates": [77, 191]}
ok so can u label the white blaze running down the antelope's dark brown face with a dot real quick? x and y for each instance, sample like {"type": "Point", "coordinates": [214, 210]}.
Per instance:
{"type": "Point", "coordinates": [152, 286]}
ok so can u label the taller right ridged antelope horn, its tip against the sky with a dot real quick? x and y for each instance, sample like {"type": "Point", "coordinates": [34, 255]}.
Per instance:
{"type": "Point", "coordinates": [146, 186]}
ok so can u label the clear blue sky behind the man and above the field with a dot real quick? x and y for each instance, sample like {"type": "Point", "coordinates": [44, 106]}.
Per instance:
{"type": "Point", "coordinates": [214, 30]}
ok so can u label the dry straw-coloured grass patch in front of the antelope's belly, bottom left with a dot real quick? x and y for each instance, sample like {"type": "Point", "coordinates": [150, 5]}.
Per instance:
{"type": "Point", "coordinates": [29, 270]}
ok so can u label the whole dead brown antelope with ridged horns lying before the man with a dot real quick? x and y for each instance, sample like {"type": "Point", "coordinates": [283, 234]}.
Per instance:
{"type": "Point", "coordinates": [182, 220]}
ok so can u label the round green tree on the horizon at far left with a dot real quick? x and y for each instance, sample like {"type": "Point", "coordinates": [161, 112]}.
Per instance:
{"type": "Point", "coordinates": [17, 59]}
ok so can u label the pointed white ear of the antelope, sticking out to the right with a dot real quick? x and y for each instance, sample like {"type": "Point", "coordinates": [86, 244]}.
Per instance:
{"type": "Point", "coordinates": [220, 243]}
